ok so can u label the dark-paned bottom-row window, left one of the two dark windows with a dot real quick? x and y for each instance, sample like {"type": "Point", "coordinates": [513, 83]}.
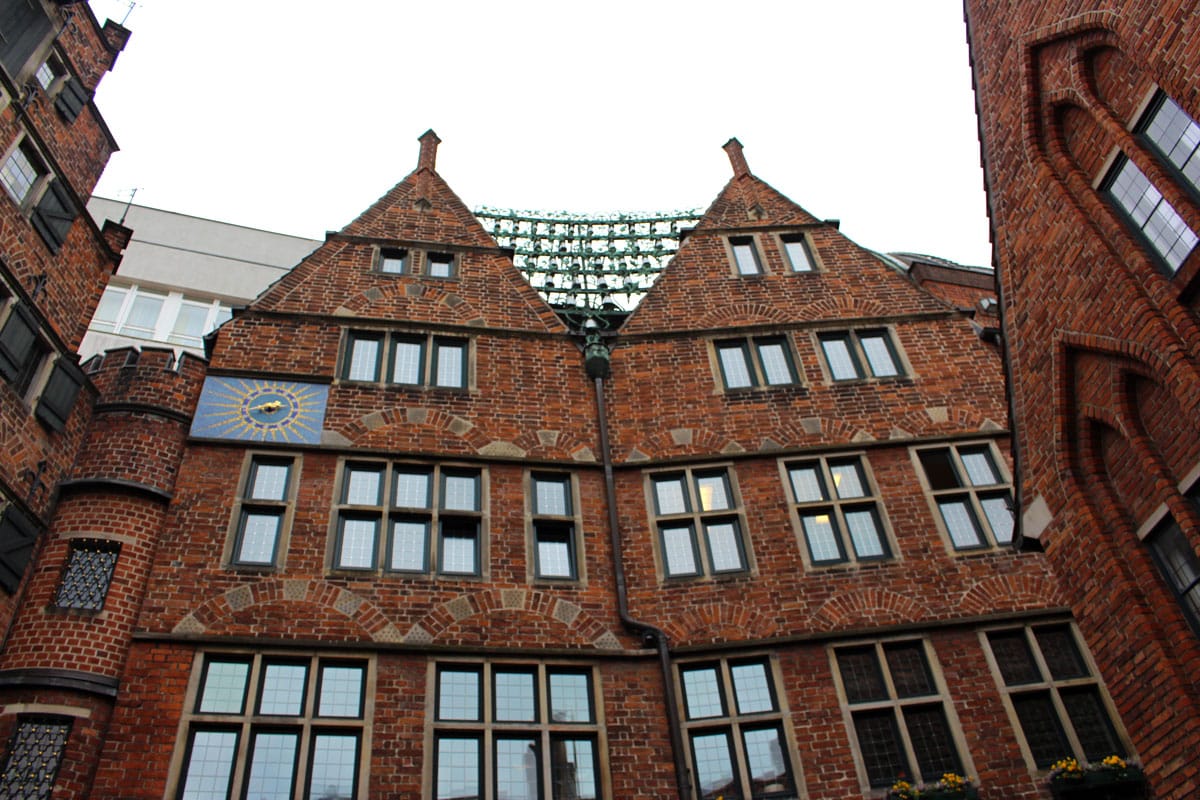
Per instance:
{"type": "Point", "coordinates": [897, 708]}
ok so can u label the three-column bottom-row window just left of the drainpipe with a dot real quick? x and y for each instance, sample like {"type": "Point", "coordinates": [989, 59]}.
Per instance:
{"type": "Point", "coordinates": [517, 732]}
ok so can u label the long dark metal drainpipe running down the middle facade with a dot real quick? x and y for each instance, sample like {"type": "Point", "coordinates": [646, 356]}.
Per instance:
{"type": "Point", "coordinates": [597, 362]}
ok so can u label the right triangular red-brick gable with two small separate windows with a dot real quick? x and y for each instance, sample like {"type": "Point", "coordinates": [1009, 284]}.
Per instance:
{"type": "Point", "coordinates": [701, 290]}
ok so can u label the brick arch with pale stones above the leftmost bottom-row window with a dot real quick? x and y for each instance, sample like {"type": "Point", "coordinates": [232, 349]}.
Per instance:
{"type": "Point", "coordinates": [326, 601]}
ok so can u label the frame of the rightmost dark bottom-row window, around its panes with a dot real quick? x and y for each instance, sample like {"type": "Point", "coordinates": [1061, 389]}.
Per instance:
{"type": "Point", "coordinates": [1053, 687]}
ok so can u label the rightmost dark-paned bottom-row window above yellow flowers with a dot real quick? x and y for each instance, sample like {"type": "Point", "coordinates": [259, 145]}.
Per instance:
{"type": "Point", "coordinates": [1053, 696]}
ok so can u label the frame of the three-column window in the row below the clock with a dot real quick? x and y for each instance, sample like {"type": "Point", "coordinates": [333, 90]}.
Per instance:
{"type": "Point", "coordinates": [439, 520]}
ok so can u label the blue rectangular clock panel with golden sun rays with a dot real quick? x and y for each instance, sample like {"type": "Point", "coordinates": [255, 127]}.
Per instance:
{"type": "Point", "coordinates": [261, 411]}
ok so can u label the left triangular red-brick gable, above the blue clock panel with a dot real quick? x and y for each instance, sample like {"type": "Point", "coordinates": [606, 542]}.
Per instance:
{"type": "Point", "coordinates": [421, 215]}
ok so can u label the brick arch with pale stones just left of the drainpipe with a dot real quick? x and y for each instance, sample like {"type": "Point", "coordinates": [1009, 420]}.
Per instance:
{"type": "Point", "coordinates": [476, 616]}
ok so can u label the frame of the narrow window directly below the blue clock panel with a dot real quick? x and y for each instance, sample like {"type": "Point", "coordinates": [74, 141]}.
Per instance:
{"type": "Point", "coordinates": [247, 507]}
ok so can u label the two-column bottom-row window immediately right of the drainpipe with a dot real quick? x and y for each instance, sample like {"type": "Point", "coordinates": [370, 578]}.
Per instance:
{"type": "Point", "coordinates": [735, 730]}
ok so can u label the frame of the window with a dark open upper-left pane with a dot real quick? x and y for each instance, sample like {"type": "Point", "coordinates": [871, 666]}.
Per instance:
{"type": "Point", "coordinates": [975, 495]}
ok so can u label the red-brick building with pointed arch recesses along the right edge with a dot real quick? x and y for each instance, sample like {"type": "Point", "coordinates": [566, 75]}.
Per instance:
{"type": "Point", "coordinates": [1089, 122]}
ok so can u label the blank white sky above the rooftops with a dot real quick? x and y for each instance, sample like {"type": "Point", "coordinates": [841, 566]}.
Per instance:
{"type": "Point", "coordinates": [296, 117]}
